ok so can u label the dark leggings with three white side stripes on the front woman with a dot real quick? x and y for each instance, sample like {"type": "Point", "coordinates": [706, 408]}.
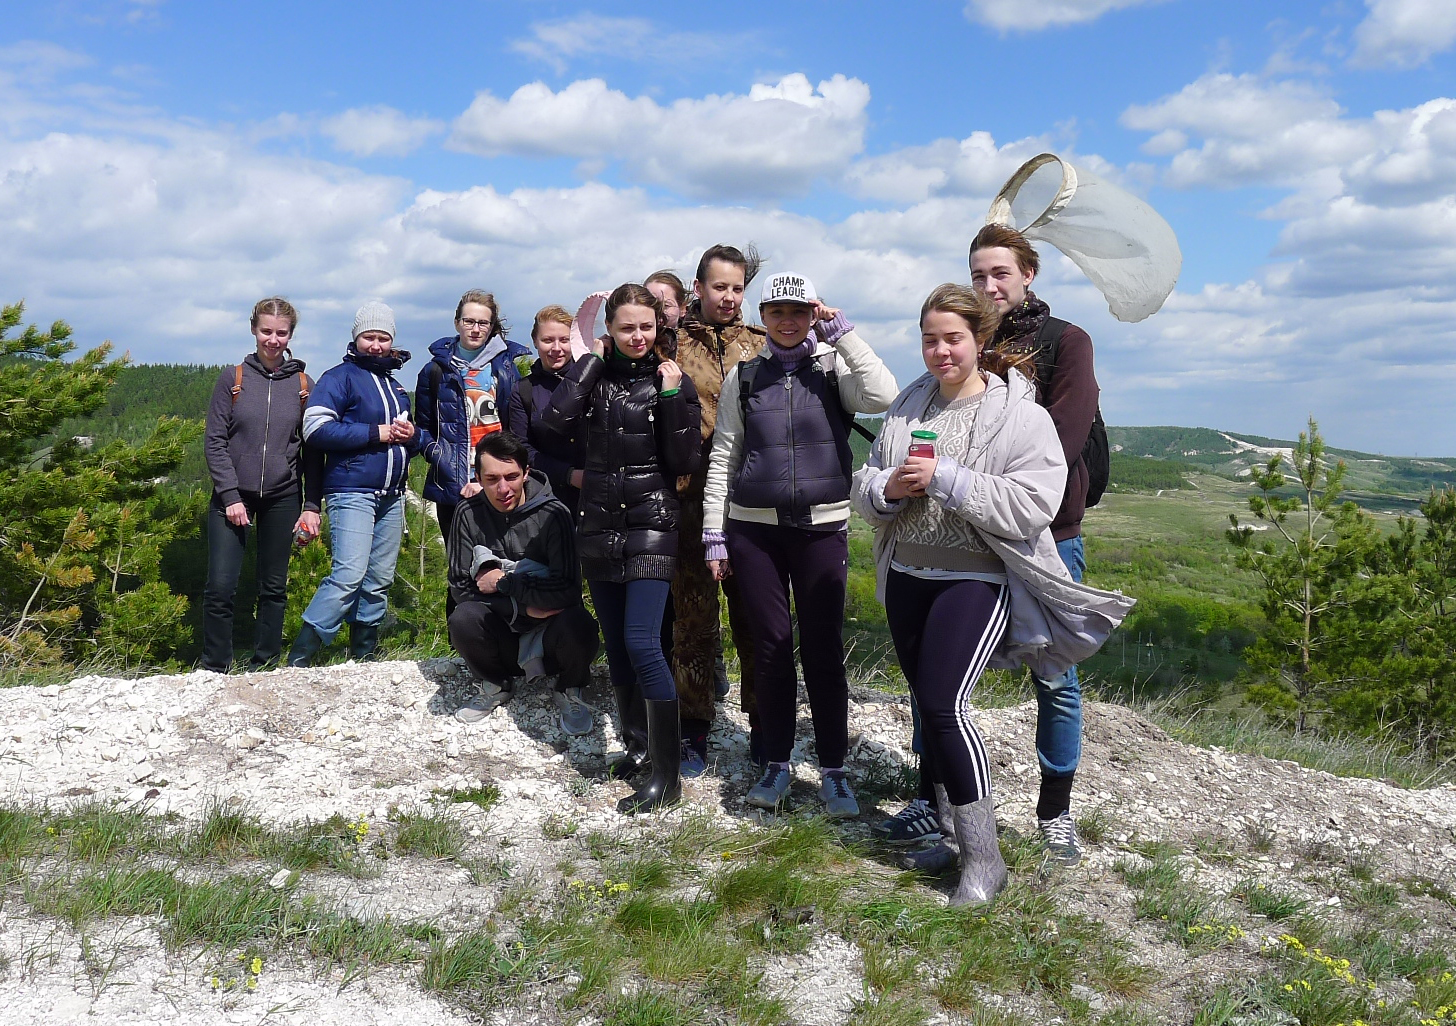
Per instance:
{"type": "Point", "coordinates": [946, 632]}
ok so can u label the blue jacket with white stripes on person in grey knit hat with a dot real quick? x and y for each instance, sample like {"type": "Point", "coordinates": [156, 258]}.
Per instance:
{"type": "Point", "coordinates": [346, 408]}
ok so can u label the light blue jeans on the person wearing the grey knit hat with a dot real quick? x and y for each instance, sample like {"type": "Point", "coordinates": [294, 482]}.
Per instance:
{"type": "Point", "coordinates": [365, 532]}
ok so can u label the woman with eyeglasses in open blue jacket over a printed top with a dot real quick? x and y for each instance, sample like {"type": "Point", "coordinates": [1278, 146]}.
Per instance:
{"type": "Point", "coordinates": [462, 397]}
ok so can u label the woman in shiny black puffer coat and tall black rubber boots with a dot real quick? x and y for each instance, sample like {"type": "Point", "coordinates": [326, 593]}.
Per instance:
{"type": "Point", "coordinates": [638, 418]}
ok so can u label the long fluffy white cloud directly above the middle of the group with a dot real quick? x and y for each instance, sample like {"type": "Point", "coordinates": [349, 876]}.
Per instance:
{"type": "Point", "coordinates": [775, 140]}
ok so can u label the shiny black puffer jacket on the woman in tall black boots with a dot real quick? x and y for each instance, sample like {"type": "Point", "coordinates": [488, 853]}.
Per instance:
{"type": "Point", "coordinates": [637, 445]}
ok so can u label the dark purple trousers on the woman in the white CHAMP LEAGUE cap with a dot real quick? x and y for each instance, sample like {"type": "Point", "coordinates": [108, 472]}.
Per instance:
{"type": "Point", "coordinates": [771, 560]}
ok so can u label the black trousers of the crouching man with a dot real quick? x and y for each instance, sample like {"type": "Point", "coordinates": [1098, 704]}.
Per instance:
{"type": "Point", "coordinates": [491, 648]}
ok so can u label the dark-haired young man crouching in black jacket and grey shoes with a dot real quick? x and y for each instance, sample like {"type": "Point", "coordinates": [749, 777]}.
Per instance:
{"type": "Point", "coordinates": [518, 587]}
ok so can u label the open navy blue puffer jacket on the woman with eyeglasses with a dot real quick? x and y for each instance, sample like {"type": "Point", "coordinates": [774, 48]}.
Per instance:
{"type": "Point", "coordinates": [440, 408]}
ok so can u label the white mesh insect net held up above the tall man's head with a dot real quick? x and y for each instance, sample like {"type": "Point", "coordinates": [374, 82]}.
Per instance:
{"type": "Point", "coordinates": [1122, 244]}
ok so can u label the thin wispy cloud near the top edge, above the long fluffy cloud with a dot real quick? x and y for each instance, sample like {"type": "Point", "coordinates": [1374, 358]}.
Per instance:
{"type": "Point", "coordinates": [558, 43]}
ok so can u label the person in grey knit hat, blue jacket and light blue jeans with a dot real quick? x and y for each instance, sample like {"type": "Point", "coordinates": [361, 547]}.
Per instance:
{"type": "Point", "coordinates": [359, 417]}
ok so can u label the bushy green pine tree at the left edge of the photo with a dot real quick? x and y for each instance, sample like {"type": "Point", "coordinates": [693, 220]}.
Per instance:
{"type": "Point", "coordinates": [82, 528]}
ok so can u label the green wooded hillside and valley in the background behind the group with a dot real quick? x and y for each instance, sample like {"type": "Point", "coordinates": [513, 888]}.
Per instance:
{"type": "Point", "coordinates": [1158, 535]}
